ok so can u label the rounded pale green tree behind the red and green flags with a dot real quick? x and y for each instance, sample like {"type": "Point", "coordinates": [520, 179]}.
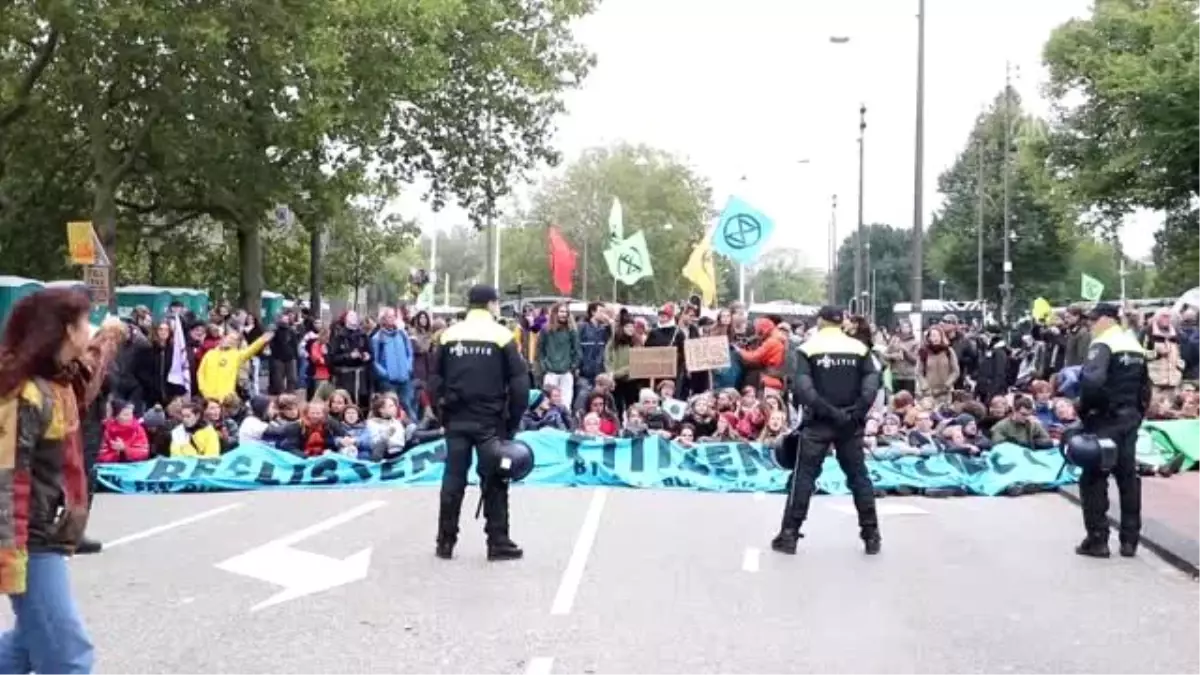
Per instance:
{"type": "Point", "coordinates": [659, 195]}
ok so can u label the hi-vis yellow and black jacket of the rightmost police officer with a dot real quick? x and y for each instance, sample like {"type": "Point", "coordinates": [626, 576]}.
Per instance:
{"type": "Point", "coordinates": [1114, 377]}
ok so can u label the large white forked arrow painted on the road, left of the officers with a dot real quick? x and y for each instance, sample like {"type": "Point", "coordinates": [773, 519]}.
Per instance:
{"type": "Point", "coordinates": [303, 574]}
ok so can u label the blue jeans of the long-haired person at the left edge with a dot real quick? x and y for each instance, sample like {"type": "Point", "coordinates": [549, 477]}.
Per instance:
{"type": "Point", "coordinates": [50, 637]}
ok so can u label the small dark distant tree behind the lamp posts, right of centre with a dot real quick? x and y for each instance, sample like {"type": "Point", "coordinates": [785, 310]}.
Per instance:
{"type": "Point", "coordinates": [891, 266]}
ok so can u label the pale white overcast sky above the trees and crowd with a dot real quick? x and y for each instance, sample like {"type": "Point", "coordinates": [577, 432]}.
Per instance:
{"type": "Point", "coordinates": [753, 87]}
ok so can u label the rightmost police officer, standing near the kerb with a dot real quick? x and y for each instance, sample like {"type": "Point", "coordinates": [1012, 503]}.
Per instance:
{"type": "Point", "coordinates": [1114, 397]}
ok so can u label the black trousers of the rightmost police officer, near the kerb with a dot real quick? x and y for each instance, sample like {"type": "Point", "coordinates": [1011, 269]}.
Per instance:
{"type": "Point", "coordinates": [1094, 485]}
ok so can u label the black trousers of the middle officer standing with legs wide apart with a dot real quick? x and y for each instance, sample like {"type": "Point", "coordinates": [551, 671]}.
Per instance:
{"type": "Point", "coordinates": [814, 447]}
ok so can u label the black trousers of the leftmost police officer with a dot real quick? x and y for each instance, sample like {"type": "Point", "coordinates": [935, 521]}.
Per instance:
{"type": "Point", "coordinates": [460, 444]}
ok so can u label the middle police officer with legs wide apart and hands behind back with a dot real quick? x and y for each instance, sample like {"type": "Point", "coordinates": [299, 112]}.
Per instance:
{"type": "Point", "coordinates": [836, 383]}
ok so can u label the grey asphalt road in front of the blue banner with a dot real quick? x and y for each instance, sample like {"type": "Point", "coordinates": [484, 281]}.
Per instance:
{"type": "Point", "coordinates": [631, 583]}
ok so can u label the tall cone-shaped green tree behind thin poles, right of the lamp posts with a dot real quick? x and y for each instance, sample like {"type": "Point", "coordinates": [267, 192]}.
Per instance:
{"type": "Point", "coordinates": [1042, 224]}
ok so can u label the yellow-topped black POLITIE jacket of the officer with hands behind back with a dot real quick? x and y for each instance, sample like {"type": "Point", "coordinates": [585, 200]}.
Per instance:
{"type": "Point", "coordinates": [836, 379]}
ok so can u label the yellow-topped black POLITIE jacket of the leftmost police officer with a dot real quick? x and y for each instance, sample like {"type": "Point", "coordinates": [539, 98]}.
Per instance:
{"type": "Point", "coordinates": [479, 378]}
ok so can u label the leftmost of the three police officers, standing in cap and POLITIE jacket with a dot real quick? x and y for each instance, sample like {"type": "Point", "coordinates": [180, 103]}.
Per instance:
{"type": "Point", "coordinates": [482, 386]}
